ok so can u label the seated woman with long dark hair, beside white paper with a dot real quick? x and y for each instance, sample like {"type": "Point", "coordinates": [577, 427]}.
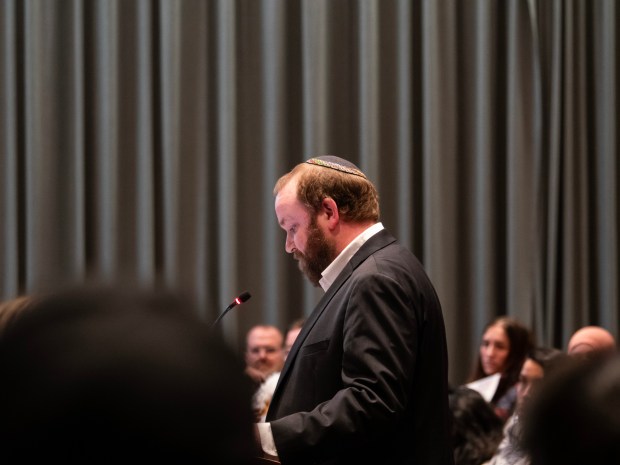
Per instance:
{"type": "Point", "coordinates": [504, 346]}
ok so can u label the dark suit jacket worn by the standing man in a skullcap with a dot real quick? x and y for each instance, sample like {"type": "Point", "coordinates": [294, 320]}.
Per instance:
{"type": "Point", "coordinates": [366, 380]}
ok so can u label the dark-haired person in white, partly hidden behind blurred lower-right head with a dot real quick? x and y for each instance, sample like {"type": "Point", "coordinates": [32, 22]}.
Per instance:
{"type": "Point", "coordinates": [539, 363]}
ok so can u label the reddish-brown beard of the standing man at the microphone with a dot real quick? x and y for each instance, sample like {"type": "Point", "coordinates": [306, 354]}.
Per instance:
{"type": "Point", "coordinates": [320, 252]}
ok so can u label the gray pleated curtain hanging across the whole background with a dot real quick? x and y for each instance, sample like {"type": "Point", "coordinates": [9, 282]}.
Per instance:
{"type": "Point", "coordinates": [140, 141]}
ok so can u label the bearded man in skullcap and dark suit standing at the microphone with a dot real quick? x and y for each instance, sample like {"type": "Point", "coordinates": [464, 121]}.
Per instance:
{"type": "Point", "coordinates": [366, 379]}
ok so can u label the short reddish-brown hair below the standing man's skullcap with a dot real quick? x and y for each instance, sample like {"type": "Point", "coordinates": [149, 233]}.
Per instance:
{"type": "Point", "coordinates": [356, 197]}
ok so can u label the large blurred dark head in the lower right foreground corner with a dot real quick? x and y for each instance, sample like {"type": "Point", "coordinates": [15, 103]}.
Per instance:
{"type": "Point", "coordinates": [574, 419]}
